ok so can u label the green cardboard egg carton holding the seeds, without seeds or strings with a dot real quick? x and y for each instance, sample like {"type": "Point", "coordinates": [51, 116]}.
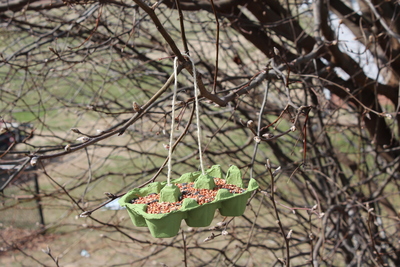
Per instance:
{"type": "Point", "coordinates": [167, 224]}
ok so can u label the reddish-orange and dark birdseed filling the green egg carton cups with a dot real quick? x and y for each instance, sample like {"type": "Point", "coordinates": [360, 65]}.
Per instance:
{"type": "Point", "coordinates": [202, 196]}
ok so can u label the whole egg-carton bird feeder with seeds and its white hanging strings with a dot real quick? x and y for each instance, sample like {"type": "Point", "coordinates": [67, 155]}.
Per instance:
{"type": "Point", "coordinates": [194, 197]}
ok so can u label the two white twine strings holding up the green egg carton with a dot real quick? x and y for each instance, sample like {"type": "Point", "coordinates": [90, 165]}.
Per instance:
{"type": "Point", "coordinates": [196, 91]}
